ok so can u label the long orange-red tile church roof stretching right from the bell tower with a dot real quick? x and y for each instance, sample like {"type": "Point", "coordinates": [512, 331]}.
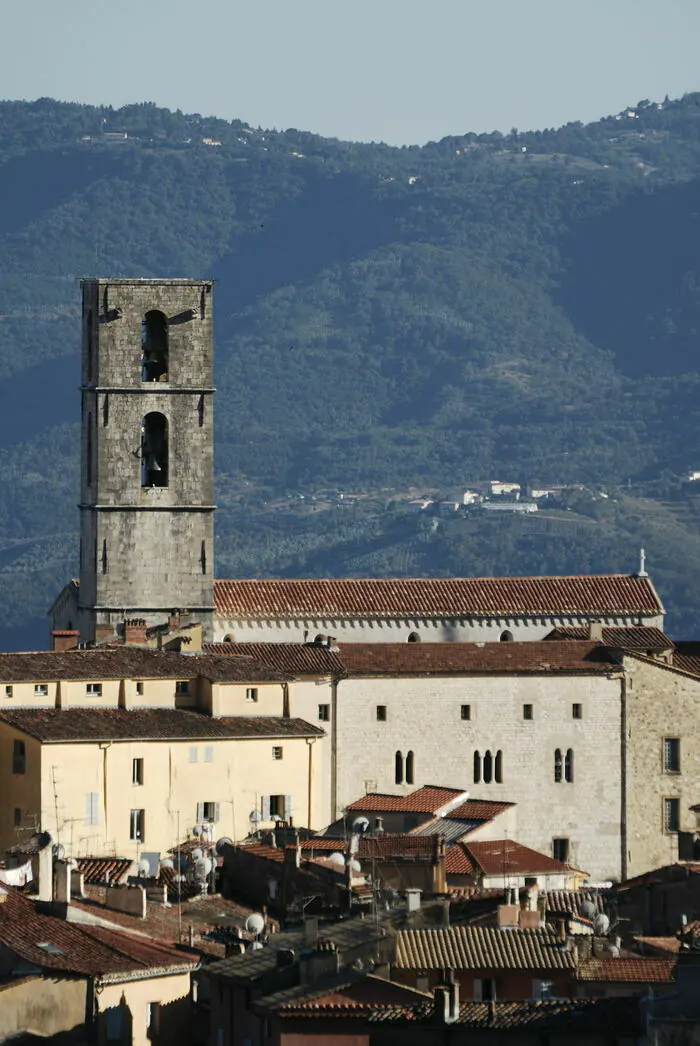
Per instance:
{"type": "Point", "coordinates": [425, 598]}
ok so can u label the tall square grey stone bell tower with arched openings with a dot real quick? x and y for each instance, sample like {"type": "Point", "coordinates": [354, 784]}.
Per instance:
{"type": "Point", "coordinates": [147, 476]}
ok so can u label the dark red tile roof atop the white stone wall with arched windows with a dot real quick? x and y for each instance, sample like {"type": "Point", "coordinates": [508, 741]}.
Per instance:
{"type": "Point", "coordinates": [438, 660]}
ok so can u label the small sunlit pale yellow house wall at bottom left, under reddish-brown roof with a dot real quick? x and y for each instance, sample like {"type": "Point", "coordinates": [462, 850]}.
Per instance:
{"type": "Point", "coordinates": [172, 992]}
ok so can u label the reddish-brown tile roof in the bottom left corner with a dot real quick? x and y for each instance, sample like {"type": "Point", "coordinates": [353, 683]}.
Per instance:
{"type": "Point", "coordinates": [55, 944]}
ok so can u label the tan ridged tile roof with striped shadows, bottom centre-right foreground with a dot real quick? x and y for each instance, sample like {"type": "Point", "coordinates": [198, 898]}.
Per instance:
{"type": "Point", "coordinates": [481, 948]}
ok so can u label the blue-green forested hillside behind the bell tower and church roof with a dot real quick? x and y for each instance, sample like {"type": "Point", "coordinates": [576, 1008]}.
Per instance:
{"type": "Point", "coordinates": [524, 306]}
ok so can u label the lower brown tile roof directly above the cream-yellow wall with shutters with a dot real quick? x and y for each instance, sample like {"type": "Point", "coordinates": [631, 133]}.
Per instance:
{"type": "Point", "coordinates": [55, 725]}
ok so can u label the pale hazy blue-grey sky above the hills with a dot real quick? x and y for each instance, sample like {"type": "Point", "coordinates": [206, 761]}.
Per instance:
{"type": "Point", "coordinates": [397, 71]}
